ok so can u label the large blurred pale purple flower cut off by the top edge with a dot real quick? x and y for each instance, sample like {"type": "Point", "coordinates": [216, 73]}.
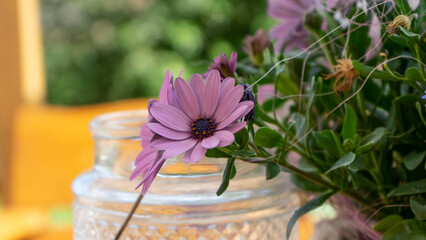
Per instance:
{"type": "Point", "coordinates": [290, 32]}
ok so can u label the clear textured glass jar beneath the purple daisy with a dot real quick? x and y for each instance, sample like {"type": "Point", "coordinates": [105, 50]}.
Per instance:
{"type": "Point", "coordinates": [182, 201]}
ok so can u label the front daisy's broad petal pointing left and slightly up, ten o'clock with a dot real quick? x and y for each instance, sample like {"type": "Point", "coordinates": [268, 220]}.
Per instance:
{"type": "Point", "coordinates": [170, 117]}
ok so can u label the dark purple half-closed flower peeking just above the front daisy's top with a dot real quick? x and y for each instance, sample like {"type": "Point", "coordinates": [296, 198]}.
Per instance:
{"type": "Point", "coordinates": [226, 67]}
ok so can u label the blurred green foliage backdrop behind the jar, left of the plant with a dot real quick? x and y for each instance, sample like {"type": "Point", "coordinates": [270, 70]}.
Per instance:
{"type": "Point", "coordinates": [104, 50]}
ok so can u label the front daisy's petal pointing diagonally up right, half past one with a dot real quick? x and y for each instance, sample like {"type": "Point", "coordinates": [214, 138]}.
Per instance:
{"type": "Point", "coordinates": [228, 103]}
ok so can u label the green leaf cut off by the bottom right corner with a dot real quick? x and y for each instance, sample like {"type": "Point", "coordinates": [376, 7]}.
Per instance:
{"type": "Point", "coordinates": [408, 230]}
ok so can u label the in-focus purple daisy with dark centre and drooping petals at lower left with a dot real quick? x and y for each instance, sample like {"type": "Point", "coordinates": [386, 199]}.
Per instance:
{"type": "Point", "coordinates": [189, 118]}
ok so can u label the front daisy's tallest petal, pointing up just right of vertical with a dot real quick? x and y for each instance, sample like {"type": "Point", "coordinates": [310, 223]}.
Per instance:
{"type": "Point", "coordinates": [211, 93]}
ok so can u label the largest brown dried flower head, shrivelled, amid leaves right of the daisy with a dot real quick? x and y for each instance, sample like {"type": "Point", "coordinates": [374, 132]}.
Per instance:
{"type": "Point", "coordinates": [345, 75]}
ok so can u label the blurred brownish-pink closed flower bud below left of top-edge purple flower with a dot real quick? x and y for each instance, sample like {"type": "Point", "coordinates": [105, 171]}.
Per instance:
{"type": "Point", "coordinates": [255, 45]}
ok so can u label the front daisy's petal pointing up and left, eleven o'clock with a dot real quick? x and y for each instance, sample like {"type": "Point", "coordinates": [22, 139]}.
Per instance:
{"type": "Point", "coordinates": [187, 99]}
